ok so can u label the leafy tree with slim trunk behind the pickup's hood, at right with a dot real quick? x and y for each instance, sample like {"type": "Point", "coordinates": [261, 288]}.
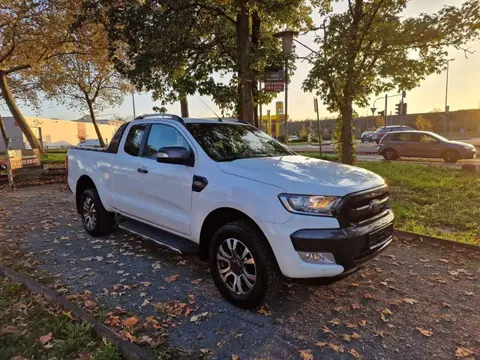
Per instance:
{"type": "Point", "coordinates": [371, 49]}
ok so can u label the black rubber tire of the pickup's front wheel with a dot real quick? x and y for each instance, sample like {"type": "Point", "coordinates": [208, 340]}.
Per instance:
{"type": "Point", "coordinates": [268, 279]}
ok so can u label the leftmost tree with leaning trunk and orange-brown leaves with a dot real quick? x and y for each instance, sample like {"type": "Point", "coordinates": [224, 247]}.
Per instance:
{"type": "Point", "coordinates": [33, 33]}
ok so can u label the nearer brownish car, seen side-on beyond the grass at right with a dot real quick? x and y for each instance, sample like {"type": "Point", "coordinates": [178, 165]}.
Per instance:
{"type": "Point", "coordinates": [423, 144]}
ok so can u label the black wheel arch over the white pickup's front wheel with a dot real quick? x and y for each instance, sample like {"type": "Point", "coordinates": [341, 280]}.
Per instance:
{"type": "Point", "coordinates": [219, 217]}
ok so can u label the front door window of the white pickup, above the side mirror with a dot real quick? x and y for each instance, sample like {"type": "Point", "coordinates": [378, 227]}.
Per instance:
{"type": "Point", "coordinates": [164, 136]}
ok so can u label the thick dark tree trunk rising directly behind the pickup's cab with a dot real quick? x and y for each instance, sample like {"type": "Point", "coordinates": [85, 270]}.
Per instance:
{"type": "Point", "coordinates": [245, 71]}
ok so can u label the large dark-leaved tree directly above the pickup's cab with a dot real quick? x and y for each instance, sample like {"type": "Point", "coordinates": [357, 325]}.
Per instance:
{"type": "Point", "coordinates": [175, 47]}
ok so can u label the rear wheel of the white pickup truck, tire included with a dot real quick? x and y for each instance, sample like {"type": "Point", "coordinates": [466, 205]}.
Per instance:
{"type": "Point", "coordinates": [103, 222]}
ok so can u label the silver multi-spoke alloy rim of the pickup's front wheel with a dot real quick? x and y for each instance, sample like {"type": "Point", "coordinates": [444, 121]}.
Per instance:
{"type": "Point", "coordinates": [236, 266]}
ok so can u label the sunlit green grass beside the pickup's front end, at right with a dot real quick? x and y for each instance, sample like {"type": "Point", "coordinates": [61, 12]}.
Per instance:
{"type": "Point", "coordinates": [433, 200]}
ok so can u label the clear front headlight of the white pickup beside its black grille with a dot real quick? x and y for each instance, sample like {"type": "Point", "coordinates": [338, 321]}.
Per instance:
{"type": "Point", "coordinates": [310, 205]}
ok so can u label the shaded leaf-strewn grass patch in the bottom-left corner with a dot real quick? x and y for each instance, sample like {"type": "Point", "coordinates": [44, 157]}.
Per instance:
{"type": "Point", "coordinates": [26, 317]}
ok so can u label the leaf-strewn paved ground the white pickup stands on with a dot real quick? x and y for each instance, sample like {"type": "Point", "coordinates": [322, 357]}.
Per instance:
{"type": "Point", "coordinates": [415, 301]}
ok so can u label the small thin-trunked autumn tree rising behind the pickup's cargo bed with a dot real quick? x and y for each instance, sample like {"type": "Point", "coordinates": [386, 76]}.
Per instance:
{"type": "Point", "coordinates": [88, 81]}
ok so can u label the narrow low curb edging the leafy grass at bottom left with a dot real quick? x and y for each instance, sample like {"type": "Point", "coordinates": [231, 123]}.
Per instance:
{"type": "Point", "coordinates": [128, 350]}
